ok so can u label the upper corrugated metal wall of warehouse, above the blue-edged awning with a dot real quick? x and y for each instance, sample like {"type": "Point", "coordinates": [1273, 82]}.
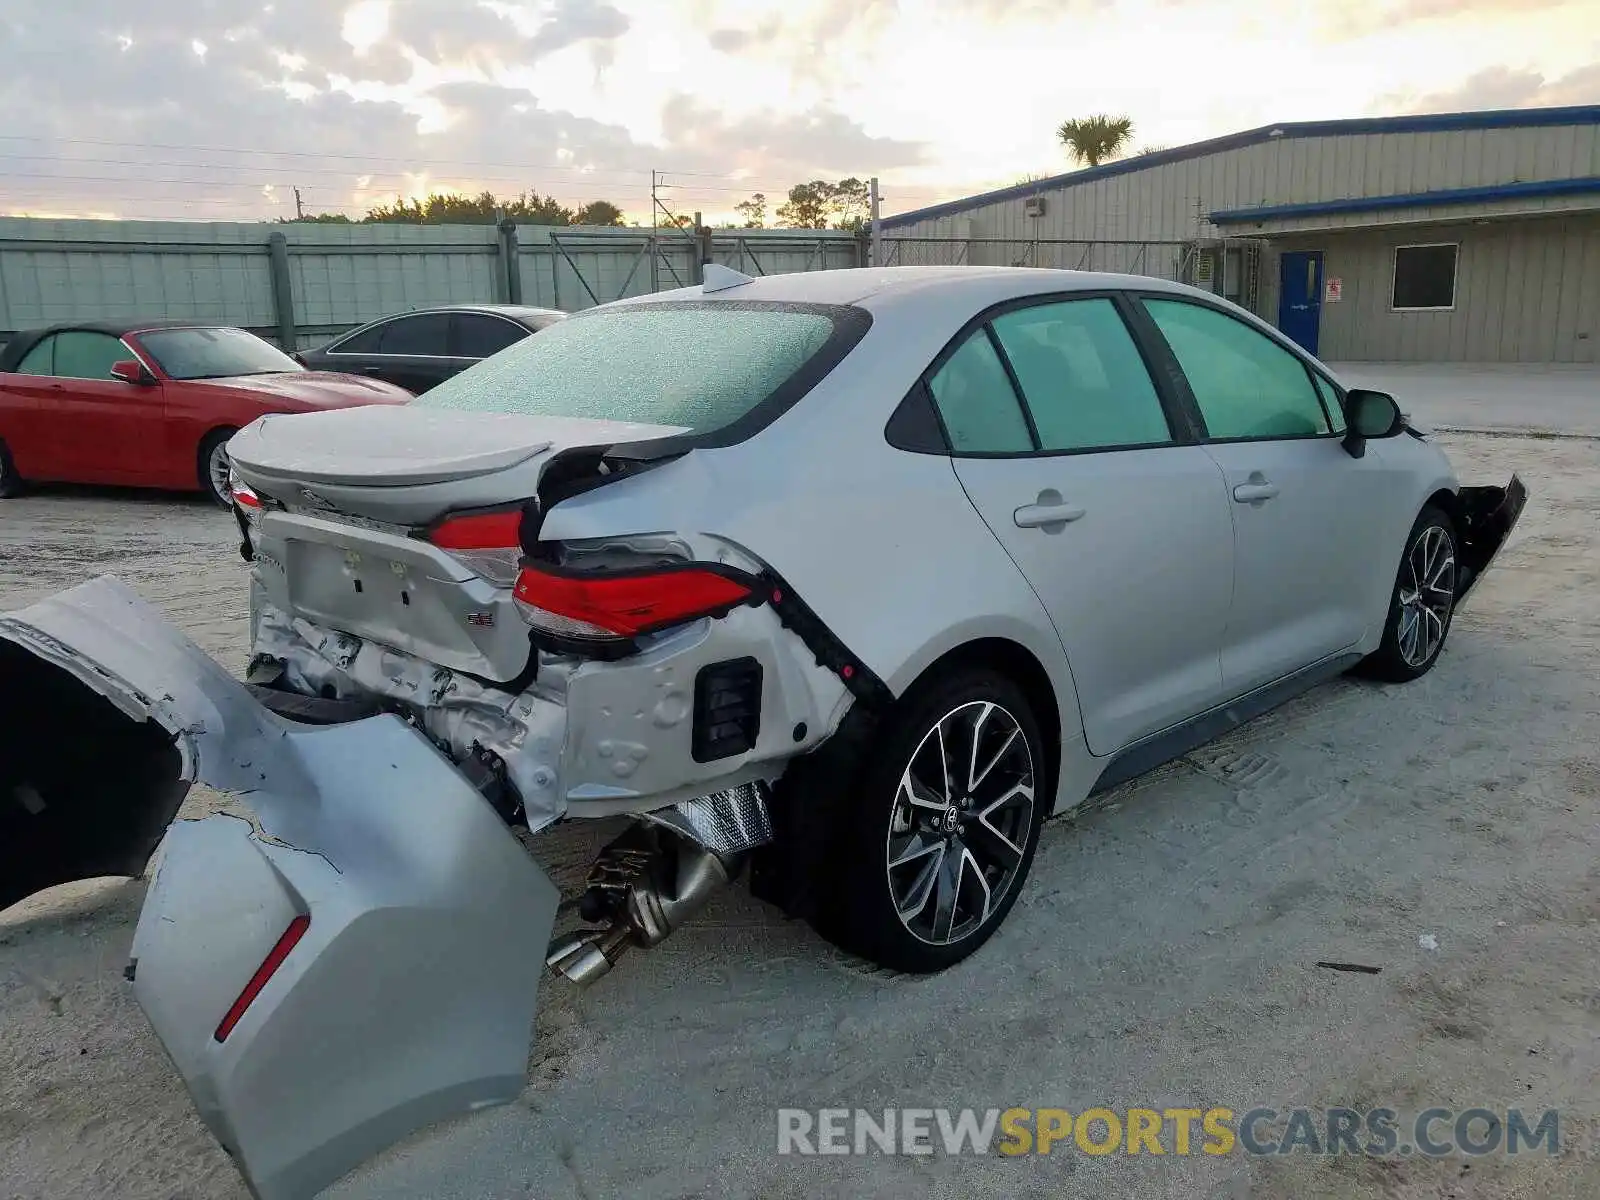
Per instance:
{"type": "Point", "coordinates": [1170, 201]}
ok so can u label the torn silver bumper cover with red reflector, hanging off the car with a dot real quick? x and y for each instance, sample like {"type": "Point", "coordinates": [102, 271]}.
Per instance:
{"type": "Point", "coordinates": [409, 996]}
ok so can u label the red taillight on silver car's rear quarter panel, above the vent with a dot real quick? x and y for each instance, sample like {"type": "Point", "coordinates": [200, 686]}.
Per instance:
{"type": "Point", "coordinates": [604, 607]}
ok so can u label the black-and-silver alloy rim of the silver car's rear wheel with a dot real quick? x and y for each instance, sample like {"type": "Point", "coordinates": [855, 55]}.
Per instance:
{"type": "Point", "coordinates": [961, 823]}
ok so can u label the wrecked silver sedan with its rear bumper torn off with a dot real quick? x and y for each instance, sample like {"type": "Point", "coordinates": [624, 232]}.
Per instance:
{"type": "Point", "coordinates": [844, 582]}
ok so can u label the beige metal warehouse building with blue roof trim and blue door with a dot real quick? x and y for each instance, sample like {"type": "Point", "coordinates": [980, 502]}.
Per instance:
{"type": "Point", "coordinates": [1452, 238]}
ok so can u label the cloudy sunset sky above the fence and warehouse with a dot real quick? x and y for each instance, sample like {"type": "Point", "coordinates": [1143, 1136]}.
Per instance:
{"type": "Point", "coordinates": [222, 108]}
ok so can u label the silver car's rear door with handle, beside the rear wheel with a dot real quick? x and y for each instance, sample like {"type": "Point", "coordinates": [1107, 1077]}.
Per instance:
{"type": "Point", "coordinates": [1089, 478]}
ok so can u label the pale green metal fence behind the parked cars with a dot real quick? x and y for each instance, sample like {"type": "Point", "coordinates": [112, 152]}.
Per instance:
{"type": "Point", "coordinates": [345, 276]}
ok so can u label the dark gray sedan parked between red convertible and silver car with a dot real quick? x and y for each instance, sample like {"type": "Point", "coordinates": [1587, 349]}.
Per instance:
{"type": "Point", "coordinates": [425, 348]}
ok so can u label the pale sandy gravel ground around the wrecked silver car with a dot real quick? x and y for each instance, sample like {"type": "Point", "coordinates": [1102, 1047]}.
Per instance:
{"type": "Point", "coordinates": [1162, 954]}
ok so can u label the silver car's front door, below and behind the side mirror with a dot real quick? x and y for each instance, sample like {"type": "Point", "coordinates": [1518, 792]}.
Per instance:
{"type": "Point", "coordinates": [1303, 508]}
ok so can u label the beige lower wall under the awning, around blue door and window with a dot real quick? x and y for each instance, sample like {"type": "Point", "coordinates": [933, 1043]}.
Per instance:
{"type": "Point", "coordinates": [1526, 292]}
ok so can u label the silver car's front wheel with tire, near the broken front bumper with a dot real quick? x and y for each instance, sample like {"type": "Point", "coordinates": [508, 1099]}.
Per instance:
{"type": "Point", "coordinates": [1423, 602]}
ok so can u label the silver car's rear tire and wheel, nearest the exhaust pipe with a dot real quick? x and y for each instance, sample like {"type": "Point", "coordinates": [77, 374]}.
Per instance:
{"type": "Point", "coordinates": [942, 825]}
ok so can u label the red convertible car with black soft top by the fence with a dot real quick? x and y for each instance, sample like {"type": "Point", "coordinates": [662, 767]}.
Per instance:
{"type": "Point", "coordinates": [150, 406]}
